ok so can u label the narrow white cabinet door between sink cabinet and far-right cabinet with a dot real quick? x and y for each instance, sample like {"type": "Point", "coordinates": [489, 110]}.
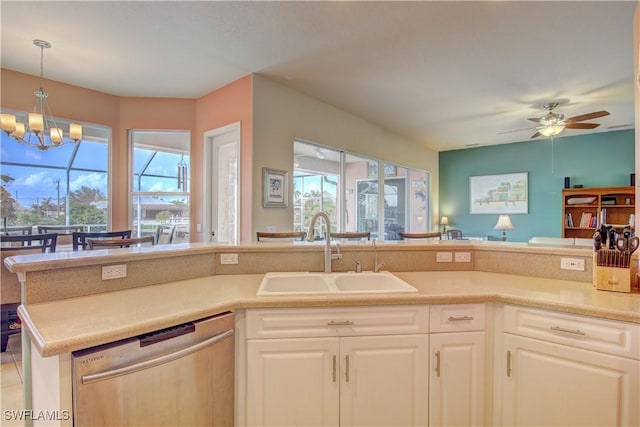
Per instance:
{"type": "Point", "coordinates": [456, 385]}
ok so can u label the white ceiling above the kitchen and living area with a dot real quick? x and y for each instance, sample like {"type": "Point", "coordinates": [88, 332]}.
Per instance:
{"type": "Point", "coordinates": [445, 74]}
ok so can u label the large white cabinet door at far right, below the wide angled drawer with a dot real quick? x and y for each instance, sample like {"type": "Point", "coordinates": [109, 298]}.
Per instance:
{"type": "Point", "coordinates": [552, 384]}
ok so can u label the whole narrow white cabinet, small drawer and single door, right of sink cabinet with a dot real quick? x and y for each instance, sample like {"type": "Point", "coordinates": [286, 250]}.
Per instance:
{"type": "Point", "coordinates": [457, 380]}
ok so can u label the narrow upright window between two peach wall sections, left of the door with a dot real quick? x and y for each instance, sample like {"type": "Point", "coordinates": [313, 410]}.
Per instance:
{"type": "Point", "coordinates": [160, 183]}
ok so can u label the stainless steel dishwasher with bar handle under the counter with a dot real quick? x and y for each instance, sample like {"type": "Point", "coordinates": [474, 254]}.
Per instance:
{"type": "Point", "coordinates": [179, 376]}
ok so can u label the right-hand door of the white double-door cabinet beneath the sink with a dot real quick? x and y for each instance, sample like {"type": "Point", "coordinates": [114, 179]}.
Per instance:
{"type": "Point", "coordinates": [384, 380]}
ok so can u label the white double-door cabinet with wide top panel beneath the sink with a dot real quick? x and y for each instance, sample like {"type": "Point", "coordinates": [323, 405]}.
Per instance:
{"type": "Point", "coordinates": [337, 376]}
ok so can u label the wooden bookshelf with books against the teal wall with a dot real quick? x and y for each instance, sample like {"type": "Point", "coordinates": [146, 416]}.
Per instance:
{"type": "Point", "coordinates": [583, 209]}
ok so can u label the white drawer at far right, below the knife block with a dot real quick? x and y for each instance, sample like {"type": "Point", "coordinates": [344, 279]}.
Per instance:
{"type": "Point", "coordinates": [605, 336]}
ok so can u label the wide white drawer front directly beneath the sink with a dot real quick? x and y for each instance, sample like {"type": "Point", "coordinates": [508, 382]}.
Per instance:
{"type": "Point", "coordinates": [342, 321]}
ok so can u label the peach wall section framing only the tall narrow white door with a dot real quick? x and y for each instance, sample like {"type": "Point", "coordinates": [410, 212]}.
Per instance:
{"type": "Point", "coordinates": [227, 105]}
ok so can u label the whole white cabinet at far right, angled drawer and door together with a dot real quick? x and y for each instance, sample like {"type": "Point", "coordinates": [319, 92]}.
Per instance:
{"type": "Point", "coordinates": [568, 370]}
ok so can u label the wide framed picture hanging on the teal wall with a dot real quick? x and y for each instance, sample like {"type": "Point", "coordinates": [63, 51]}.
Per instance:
{"type": "Point", "coordinates": [499, 194]}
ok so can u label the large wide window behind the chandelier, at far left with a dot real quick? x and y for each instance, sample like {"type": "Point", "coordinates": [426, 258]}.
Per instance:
{"type": "Point", "coordinates": [65, 185]}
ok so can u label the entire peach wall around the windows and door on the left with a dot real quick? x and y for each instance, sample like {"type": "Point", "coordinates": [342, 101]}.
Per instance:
{"type": "Point", "coordinates": [229, 104]}
